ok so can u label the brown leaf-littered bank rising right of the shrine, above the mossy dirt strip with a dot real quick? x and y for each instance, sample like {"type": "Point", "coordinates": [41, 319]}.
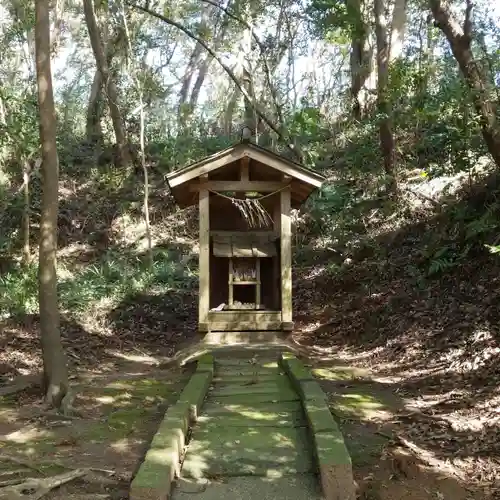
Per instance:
{"type": "Point", "coordinates": [430, 342]}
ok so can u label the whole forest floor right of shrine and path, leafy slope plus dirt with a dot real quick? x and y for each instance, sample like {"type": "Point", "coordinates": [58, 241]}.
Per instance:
{"type": "Point", "coordinates": [432, 354]}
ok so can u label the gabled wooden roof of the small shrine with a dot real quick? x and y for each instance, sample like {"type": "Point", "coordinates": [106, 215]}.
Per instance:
{"type": "Point", "coordinates": [303, 179]}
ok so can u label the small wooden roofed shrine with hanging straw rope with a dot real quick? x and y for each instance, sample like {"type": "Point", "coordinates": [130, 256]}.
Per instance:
{"type": "Point", "coordinates": [245, 194]}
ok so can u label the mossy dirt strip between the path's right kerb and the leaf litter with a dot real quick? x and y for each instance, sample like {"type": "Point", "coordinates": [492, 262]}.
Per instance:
{"type": "Point", "coordinates": [388, 462]}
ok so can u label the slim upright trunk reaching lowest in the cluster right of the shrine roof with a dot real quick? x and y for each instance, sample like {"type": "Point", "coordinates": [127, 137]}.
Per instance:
{"type": "Point", "coordinates": [385, 127]}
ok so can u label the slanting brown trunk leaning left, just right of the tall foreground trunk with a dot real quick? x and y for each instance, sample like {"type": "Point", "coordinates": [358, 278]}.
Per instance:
{"type": "Point", "coordinates": [109, 83]}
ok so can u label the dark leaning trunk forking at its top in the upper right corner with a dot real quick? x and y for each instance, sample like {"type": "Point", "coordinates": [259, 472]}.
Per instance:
{"type": "Point", "coordinates": [484, 101]}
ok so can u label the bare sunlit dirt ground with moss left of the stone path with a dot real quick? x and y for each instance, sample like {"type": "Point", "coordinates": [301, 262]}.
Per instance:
{"type": "Point", "coordinates": [116, 411]}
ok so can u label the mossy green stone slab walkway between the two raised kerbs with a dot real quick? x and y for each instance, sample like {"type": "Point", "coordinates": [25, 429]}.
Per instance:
{"type": "Point", "coordinates": [251, 432]}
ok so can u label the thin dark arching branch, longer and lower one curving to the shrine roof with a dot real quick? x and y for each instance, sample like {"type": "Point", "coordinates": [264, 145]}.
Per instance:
{"type": "Point", "coordinates": [224, 66]}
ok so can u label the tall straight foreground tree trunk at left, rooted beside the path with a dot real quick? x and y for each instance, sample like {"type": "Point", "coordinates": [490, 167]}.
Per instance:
{"type": "Point", "coordinates": [54, 361]}
